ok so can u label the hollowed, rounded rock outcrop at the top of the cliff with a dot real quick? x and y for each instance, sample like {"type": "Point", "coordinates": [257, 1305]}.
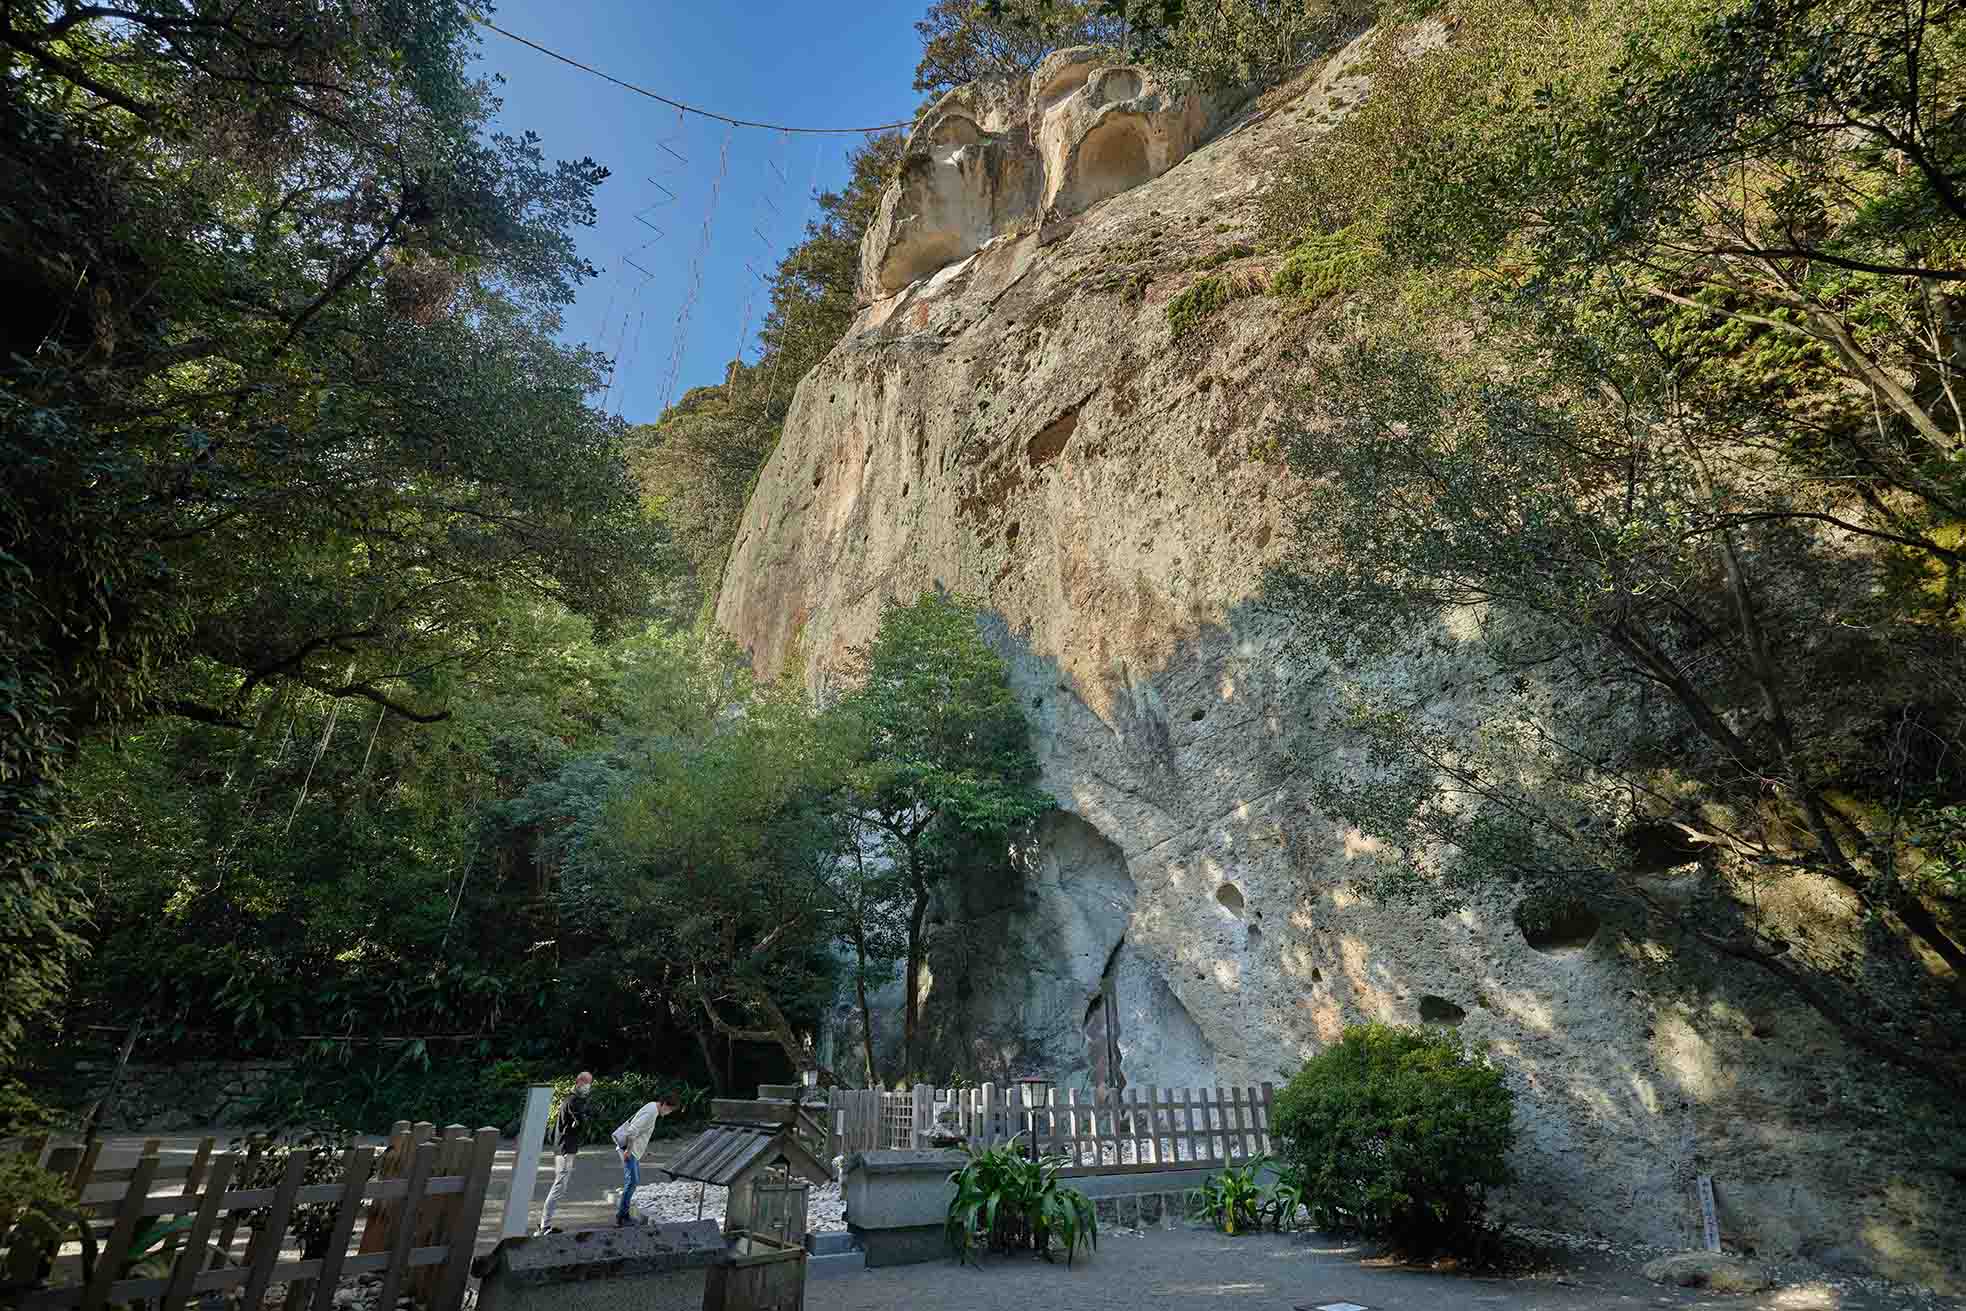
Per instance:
{"type": "Point", "coordinates": [994, 156]}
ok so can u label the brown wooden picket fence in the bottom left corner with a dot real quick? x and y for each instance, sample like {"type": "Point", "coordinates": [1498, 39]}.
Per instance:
{"type": "Point", "coordinates": [418, 1200]}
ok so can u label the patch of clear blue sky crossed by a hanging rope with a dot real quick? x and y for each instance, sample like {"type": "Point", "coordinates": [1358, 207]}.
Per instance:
{"type": "Point", "coordinates": [772, 60]}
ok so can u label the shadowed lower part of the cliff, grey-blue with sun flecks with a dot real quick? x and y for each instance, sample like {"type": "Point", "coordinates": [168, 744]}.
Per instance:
{"type": "Point", "coordinates": [1633, 1072]}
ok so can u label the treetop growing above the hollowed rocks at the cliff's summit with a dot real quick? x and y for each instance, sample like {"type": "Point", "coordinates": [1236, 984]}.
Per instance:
{"type": "Point", "coordinates": [970, 40]}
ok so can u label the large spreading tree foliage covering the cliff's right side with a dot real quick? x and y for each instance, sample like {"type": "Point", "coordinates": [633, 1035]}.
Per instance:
{"type": "Point", "coordinates": [1706, 435]}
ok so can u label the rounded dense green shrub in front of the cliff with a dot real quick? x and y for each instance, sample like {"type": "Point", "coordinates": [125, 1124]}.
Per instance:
{"type": "Point", "coordinates": [1399, 1135]}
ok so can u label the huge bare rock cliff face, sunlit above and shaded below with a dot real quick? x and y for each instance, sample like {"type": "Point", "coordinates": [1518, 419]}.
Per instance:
{"type": "Point", "coordinates": [1019, 426]}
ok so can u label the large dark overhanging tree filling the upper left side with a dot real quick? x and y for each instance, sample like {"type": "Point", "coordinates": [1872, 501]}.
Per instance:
{"type": "Point", "coordinates": [286, 410]}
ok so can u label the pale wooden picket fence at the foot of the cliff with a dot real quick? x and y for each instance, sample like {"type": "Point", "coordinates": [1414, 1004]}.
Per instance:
{"type": "Point", "coordinates": [1100, 1131]}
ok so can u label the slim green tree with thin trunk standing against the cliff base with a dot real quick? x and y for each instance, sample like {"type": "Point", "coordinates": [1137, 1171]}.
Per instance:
{"type": "Point", "coordinates": [945, 762]}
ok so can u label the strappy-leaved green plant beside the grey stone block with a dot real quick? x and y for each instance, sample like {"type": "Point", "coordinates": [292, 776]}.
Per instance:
{"type": "Point", "coordinates": [1012, 1204]}
